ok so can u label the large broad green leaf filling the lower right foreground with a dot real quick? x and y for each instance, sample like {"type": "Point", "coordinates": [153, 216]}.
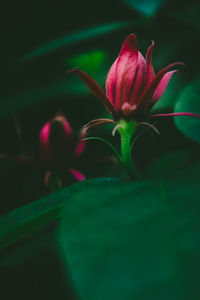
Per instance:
{"type": "Point", "coordinates": [137, 240]}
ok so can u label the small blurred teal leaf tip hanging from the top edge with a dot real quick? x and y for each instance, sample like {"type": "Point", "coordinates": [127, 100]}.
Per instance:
{"type": "Point", "coordinates": [146, 7]}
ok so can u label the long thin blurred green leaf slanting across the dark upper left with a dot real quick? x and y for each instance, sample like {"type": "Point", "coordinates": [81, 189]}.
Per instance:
{"type": "Point", "coordinates": [75, 37]}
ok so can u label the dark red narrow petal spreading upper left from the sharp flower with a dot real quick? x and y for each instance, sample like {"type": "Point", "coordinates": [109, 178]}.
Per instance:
{"type": "Point", "coordinates": [94, 88]}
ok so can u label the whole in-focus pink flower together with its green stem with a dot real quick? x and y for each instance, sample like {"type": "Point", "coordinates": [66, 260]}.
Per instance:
{"type": "Point", "coordinates": [132, 89]}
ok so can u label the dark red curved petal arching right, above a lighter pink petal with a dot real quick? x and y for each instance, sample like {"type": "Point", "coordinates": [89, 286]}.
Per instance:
{"type": "Point", "coordinates": [146, 97]}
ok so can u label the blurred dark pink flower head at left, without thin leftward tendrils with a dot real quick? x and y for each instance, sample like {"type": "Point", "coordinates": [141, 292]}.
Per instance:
{"type": "Point", "coordinates": [59, 148]}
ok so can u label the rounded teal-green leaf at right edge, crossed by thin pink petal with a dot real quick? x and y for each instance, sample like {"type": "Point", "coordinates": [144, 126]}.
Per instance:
{"type": "Point", "coordinates": [189, 101]}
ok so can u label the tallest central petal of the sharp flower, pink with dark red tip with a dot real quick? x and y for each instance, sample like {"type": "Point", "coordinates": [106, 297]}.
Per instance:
{"type": "Point", "coordinates": [126, 70]}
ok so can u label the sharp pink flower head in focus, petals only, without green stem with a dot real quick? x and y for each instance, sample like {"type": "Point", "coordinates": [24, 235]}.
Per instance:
{"type": "Point", "coordinates": [132, 88]}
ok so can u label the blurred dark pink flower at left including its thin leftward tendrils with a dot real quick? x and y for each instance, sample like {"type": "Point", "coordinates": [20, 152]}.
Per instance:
{"type": "Point", "coordinates": [59, 152]}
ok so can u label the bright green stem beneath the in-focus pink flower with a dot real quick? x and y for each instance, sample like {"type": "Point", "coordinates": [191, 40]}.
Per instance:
{"type": "Point", "coordinates": [127, 130]}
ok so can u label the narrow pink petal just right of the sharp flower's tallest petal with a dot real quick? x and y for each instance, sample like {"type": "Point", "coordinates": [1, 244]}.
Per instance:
{"type": "Point", "coordinates": [139, 80]}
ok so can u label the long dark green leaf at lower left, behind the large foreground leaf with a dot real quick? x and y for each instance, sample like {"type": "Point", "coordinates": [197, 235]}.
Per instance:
{"type": "Point", "coordinates": [29, 218]}
